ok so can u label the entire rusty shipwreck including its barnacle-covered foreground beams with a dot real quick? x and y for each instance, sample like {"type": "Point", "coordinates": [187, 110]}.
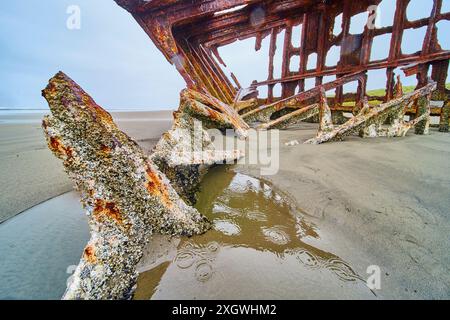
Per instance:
{"type": "Point", "coordinates": [130, 195]}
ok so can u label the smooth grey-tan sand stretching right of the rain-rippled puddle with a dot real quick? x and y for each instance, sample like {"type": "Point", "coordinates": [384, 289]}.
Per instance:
{"type": "Point", "coordinates": [383, 202]}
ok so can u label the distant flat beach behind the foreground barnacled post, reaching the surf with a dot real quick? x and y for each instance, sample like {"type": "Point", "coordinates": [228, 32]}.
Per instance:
{"type": "Point", "coordinates": [31, 174]}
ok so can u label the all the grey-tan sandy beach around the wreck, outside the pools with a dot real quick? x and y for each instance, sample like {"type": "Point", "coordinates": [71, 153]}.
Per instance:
{"type": "Point", "coordinates": [381, 202]}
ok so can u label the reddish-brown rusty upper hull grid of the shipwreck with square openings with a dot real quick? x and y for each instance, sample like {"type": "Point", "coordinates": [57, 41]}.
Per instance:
{"type": "Point", "coordinates": [189, 34]}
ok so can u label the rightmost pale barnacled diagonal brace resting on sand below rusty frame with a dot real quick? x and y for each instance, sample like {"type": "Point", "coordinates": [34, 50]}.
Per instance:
{"type": "Point", "coordinates": [370, 120]}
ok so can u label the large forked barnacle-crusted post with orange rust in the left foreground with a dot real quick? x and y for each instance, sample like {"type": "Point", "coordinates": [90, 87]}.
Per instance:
{"type": "Point", "coordinates": [126, 196]}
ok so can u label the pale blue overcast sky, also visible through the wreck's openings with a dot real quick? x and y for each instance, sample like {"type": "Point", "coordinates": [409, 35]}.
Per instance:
{"type": "Point", "coordinates": [112, 58]}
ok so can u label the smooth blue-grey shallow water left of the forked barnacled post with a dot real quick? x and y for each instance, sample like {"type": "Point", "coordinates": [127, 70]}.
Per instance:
{"type": "Point", "coordinates": [41, 247]}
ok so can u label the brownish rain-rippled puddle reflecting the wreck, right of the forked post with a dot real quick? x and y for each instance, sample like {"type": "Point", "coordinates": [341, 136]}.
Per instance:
{"type": "Point", "coordinates": [259, 240]}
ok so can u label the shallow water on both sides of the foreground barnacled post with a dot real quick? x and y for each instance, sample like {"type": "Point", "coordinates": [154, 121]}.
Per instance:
{"type": "Point", "coordinates": [257, 249]}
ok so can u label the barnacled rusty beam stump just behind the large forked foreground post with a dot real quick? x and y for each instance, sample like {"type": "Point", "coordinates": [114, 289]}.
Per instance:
{"type": "Point", "coordinates": [186, 151]}
